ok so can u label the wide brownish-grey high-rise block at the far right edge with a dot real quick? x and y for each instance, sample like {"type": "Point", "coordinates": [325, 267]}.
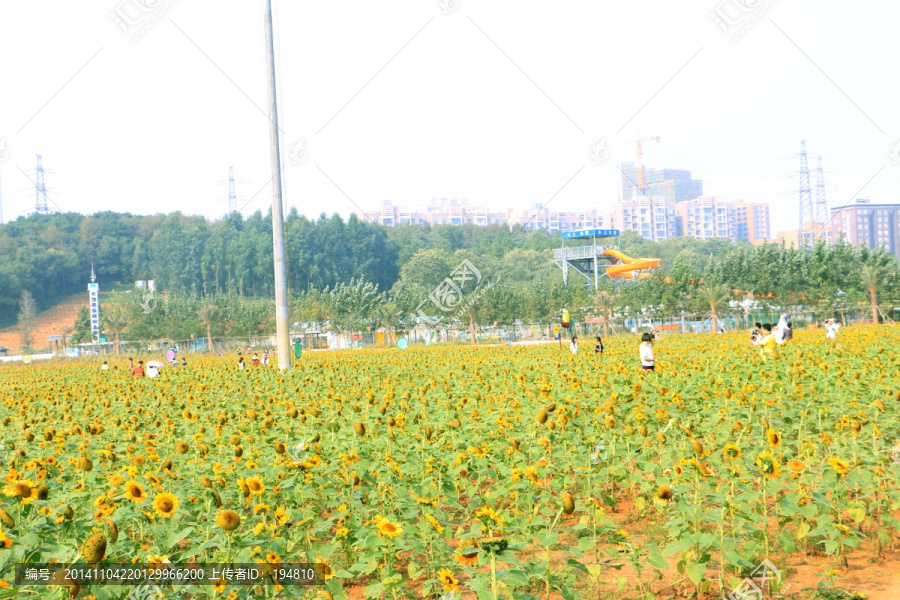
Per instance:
{"type": "Point", "coordinates": [867, 224]}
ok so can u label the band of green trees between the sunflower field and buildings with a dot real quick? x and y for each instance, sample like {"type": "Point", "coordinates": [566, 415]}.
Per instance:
{"type": "Point", "coordinates": [216, 277]}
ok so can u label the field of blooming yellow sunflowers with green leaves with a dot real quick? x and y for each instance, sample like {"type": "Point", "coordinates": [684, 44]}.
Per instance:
{"type": "Point", "coordinates": [463, 472]}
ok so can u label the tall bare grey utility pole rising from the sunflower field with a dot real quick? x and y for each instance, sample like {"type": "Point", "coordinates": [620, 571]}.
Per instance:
{"type": "Point", "coordinates": [282, 320]}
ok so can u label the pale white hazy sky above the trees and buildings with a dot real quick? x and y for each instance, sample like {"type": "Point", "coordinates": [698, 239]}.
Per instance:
{"type": "Point", "coordinates": [499, 101]}
